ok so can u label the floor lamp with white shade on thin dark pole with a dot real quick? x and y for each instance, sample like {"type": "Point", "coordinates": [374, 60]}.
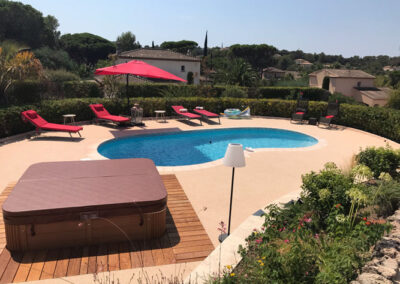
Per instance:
{"type": "Point", "coordinates": [234, 157]}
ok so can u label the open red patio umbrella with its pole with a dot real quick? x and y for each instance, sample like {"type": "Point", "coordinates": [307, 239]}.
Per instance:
{"type": "Point", "coordinates": [137, 68]}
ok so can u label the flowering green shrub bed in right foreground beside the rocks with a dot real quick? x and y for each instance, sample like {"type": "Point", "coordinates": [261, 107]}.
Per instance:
{"type": "Point", "coordinates": [323, 238]}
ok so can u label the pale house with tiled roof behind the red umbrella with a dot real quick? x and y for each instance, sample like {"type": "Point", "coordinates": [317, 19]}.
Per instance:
{"type": "Point", "coordinates": [172, 62]}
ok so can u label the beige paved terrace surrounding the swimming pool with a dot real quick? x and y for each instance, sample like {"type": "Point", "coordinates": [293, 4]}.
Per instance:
{"type": "Point", "coordinates": [268, 175]}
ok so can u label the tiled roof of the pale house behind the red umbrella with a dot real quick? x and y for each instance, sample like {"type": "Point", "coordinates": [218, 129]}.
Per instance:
{"type": "Point", "coordinates": [160, 54]}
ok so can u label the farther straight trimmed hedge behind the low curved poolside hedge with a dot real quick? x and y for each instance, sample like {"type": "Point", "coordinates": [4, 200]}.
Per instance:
{"type": "Point", "coordinates": [26, 92]}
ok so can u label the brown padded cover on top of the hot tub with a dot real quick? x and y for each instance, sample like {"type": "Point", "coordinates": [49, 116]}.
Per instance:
{"type": "Point", "coordinates": [58, 191]}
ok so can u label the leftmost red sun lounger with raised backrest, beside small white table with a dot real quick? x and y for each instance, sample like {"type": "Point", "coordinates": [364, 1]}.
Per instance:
{"type": "Point", "coordinates": [42, 125]}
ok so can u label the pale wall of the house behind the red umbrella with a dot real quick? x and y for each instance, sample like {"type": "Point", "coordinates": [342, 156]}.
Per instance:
{"type": "Point", "coordinates": [174, 67]}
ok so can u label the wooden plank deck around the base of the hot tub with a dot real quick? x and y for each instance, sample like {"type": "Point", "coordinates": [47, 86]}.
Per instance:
{"type": "Point", "coordinates": [185, 241]}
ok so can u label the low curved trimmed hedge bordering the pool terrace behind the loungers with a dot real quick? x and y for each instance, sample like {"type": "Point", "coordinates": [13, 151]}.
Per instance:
{"type": "Point", "coordinates": [381, 121]}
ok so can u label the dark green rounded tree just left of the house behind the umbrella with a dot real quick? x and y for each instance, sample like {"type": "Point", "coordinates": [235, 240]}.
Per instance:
{"type": "Point", "coordinates": [86, 48]}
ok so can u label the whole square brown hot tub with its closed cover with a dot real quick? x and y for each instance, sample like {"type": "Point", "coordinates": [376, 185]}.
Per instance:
{"type": "Point", "coordinates": [63, 204]}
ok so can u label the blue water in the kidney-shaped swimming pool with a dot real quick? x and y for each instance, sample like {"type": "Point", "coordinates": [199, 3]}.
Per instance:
{"type": "Point", "coordinates": [199, 146]}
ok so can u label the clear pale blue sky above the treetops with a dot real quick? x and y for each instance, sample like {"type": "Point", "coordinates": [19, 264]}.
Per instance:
{"type": "Point", "coordinates": [347, 27]}
